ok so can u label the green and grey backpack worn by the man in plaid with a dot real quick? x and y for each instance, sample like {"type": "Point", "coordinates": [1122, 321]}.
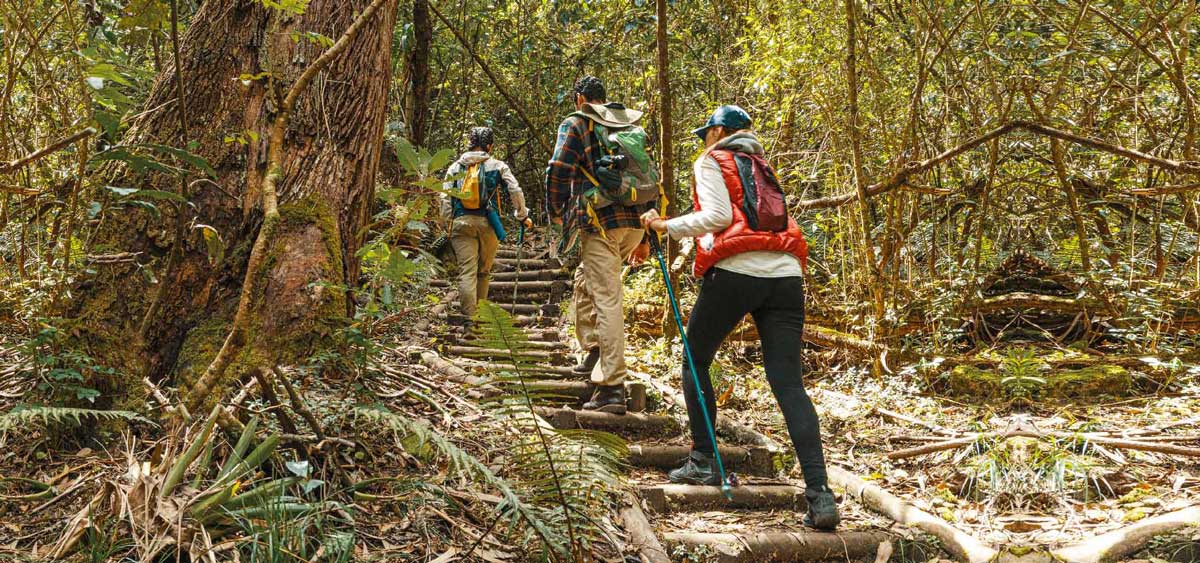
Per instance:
{"type": "Point", "coordinates": [626, 176]}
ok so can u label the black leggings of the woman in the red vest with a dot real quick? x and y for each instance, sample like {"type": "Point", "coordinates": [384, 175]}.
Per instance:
{"type": "Point", "coordinates": [778, 309]}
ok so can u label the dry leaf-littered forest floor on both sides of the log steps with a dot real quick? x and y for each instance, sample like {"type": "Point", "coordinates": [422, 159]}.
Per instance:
{"type": "Point", "coordinates": [1007, 492]}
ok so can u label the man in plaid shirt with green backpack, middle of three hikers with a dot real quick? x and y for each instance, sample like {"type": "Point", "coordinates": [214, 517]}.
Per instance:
{"type": "Point", "coordinates": [599, 182]}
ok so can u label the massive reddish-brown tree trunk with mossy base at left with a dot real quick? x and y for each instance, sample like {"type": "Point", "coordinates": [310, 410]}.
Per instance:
{"type": "Point", "coordinates": [329, 159]}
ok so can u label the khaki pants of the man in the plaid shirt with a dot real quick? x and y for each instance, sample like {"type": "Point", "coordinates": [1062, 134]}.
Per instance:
{"type": "Point", "coordinates": [599, 318]}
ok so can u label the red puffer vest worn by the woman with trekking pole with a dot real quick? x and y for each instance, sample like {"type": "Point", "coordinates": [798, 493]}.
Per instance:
{"type": "Point", "coordinates": [739, 237]}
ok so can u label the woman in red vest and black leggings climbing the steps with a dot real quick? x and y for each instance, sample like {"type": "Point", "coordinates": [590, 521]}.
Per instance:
{"type": "Point", "coordinates": [752, 256]}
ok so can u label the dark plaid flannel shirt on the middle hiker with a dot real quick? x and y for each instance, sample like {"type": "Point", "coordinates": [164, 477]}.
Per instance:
{"type": "Point", "coordinates": [575, 149]}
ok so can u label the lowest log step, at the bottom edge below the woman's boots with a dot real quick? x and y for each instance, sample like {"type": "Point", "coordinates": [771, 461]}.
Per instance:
{"type": "Point", "coordinates": [782, 546]}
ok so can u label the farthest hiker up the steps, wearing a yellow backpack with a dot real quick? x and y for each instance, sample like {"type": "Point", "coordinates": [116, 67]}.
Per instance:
{"type": "Point", "coordinates": [472, 201]}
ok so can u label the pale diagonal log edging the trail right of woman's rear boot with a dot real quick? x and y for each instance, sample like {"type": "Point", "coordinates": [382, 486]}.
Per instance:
{"type": "Point", "coordinates": [958, 543]}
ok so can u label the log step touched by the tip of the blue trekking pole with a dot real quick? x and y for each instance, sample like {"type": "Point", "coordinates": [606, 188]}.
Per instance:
{"type": "Point", "coordinates": [687, 499]}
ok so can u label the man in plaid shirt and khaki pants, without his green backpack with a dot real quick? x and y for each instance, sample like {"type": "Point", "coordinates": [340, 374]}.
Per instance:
{"type": "Point", "coordinates": [615, 237]}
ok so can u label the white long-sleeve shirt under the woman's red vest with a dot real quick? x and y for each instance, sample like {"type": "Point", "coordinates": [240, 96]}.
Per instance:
{"type": "Point", "coordinates": [716, 215]}
